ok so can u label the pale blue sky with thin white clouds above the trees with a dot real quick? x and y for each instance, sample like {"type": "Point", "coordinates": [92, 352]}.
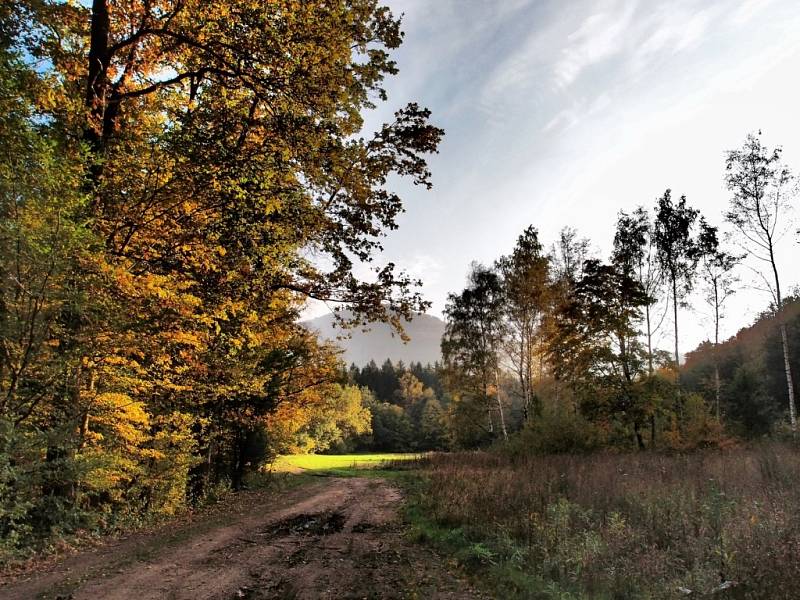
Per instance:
{"type": "Point", "coordinates": [565, 112]}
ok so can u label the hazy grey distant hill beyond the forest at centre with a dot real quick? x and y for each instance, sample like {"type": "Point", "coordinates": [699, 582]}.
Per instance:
{"type": "Point", "coordinates": [379, 343]}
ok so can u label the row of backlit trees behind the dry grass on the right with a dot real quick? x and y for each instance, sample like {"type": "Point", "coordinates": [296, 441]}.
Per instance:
{"type": "Point", "coordinates": [568, 338]}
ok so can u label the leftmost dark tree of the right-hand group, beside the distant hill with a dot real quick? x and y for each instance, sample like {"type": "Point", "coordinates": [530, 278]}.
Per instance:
{"type": "Point", "coordinates": [472, 338]}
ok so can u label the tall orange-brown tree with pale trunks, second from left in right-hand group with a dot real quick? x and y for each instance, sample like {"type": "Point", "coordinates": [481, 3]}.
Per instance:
{"type": "Point", "coordinates": [525, 276]}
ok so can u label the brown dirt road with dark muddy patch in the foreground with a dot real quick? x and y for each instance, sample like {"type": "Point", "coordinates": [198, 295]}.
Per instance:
{"type": "Point", "coordinates": [336, 538]}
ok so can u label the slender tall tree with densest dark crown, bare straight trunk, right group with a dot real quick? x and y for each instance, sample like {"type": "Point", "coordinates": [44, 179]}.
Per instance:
{"type": "Point", "coordinates": [676, 251]}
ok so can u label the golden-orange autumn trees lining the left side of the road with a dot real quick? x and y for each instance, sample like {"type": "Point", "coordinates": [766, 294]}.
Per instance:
{"type": "Point", "coordinates": [177, 179]}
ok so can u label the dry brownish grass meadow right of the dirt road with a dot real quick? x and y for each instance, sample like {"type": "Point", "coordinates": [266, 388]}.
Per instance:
{"type": "Point", "coordinates": [629, 526]}
